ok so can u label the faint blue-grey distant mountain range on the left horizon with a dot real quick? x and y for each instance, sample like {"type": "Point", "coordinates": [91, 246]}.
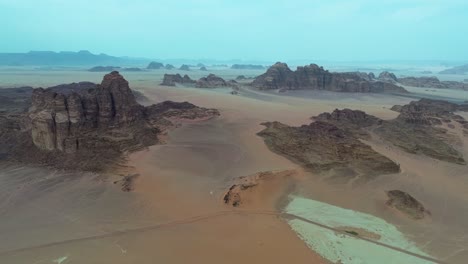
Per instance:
{"type": "Point", "coordinates": [65, 58]}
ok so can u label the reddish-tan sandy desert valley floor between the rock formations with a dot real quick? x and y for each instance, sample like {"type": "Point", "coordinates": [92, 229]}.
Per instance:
{"type": "Point", "coordinates": [175, 213]}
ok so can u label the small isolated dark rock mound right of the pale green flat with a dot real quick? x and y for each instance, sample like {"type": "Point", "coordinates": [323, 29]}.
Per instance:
{"type": "Point", "coordinates": [406, 204]}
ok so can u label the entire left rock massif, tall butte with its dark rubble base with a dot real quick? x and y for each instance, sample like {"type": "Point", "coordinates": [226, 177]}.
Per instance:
{"type": "Point", "coordinates": [88, 128]}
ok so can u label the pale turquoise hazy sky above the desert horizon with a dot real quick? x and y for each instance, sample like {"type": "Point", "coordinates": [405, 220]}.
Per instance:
{"type": "Point", "coordinates": [339, 30]}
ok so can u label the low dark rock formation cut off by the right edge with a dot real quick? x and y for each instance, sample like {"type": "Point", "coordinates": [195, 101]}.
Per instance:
{"type": "Point", "coordinates": [414, 130]}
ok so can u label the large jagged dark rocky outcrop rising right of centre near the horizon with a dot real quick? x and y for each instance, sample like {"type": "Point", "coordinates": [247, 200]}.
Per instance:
{"type": "Point", "coordinates": [313, 77]}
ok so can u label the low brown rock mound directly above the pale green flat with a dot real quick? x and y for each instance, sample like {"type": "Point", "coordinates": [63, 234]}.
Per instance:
{"type": "Point", "coordinates": [324, 148]}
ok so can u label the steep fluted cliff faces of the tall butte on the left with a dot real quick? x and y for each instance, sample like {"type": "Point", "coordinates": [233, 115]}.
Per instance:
{"type": "Point", "coordinates": [57, 119]}
